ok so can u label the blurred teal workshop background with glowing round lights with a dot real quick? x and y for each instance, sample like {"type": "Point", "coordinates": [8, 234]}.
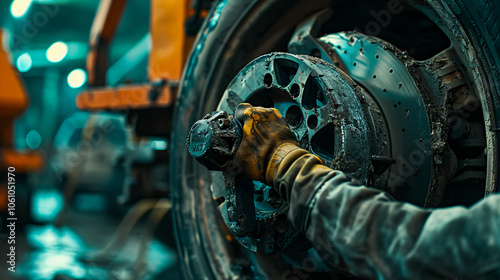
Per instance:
{"type": "Point", "coordinates": [49, 42]}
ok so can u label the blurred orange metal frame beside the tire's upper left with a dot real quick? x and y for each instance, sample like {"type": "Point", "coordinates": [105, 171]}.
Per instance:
{"type": "Point", "coordinates": [169, 51]}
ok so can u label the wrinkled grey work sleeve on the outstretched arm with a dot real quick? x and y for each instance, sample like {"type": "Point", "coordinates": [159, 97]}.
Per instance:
{"type": "Point", "coordinates": [376, 237]}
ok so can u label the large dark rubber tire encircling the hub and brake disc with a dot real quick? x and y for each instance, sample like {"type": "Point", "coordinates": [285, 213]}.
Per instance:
{"type": "Point", "coordinates": [235, 33]}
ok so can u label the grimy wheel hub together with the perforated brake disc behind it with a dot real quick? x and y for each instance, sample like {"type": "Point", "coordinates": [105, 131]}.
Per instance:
{"type": "Point", "coordinates": [334, 117]}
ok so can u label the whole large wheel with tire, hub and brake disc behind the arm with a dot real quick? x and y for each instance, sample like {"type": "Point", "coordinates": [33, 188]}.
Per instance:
{"type": "Point", "coordinates": [410, 111]}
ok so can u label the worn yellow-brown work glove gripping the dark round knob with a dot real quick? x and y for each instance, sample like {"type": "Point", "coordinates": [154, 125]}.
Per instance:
{"type": "Point", "coordinates": [264, 131]}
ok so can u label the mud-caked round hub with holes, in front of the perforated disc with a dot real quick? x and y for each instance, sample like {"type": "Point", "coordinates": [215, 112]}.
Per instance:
{"type": "Point", "coordinates": [325, 114]}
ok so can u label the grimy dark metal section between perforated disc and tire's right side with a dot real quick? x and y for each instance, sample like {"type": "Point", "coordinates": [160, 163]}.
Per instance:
{"type": "Point", "coordinates": [460, 161]}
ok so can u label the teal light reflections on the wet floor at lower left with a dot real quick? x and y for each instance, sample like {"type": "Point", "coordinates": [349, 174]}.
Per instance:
{"type": "Point", "coordinates": [46, 252]}
